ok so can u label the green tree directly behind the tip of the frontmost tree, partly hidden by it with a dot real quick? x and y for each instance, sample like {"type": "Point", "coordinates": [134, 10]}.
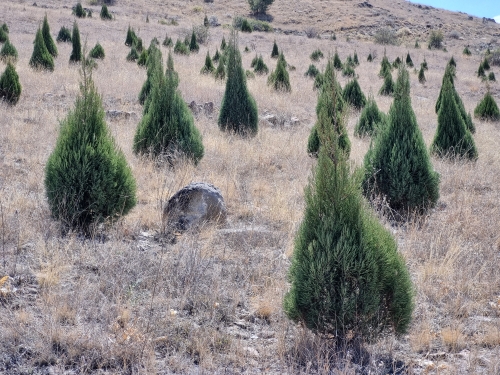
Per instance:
{"type": "Point", "coordinates": [331, 101]}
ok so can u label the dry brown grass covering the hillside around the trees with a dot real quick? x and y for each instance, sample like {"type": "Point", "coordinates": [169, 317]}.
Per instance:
{"type": "Point", "coordinates": [211, 303]}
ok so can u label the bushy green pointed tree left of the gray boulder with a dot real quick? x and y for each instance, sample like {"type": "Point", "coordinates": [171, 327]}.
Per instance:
{"type": "Point", "coordinates": [87, 178]}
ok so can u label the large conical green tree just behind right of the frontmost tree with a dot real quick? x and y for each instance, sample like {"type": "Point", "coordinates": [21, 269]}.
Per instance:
{"type": "Point", "coordinates": [397, 165]}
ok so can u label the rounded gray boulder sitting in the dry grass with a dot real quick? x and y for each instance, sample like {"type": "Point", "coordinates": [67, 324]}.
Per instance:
{"type": "Point", "coordinates": [195, 204]}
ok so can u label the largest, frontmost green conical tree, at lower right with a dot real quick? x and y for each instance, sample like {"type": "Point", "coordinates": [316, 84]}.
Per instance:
{"type": "Point", "coordinates": [348, 280]}
